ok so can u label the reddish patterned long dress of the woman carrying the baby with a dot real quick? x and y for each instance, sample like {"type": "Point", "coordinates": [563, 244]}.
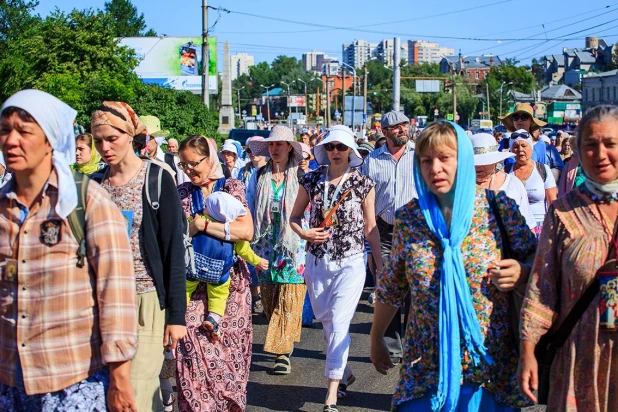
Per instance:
{"type": "Point", "coordinates": [213, 376]}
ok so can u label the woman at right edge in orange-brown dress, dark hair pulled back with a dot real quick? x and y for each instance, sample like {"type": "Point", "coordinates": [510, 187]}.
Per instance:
{"type": "Point", "coordinates": [577, 234]}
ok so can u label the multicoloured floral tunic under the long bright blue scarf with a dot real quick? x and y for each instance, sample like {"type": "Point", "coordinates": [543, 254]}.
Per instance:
{"type": "Point", "coordinates": [413, 268]}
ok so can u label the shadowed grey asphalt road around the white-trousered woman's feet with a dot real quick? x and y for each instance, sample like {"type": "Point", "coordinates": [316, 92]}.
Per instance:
{"type": "Point", "coordinates": [305, 388]}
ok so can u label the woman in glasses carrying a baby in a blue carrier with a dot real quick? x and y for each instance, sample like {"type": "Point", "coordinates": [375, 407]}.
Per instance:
{"type": "Point", "coordinates": [202, 364]}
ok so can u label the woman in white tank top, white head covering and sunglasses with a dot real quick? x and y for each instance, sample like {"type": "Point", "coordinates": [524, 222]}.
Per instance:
{"type": "Point", "coordinates": [537, 178]}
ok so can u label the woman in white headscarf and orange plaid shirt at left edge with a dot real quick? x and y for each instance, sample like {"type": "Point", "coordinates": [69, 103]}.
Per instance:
{"type": "Point", "coordinates": [76, 332]}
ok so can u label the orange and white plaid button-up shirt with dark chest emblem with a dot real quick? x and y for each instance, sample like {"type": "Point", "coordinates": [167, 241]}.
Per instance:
{"type": "Point", "coordinates": [63, 323]}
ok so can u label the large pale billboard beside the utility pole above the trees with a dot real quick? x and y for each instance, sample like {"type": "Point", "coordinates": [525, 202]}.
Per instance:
{"type": "Point", "coordinates": [174, 62]}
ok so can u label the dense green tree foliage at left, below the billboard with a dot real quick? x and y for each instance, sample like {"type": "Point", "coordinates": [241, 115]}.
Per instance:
{"type": "Point", "coordinates": [76, 57]}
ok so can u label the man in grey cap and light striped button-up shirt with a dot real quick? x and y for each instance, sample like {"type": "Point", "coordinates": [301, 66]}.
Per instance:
{"type": "Point", "coordinates": [391, 168]}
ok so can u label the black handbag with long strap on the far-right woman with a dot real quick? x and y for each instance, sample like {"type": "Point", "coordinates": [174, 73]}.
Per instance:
{"type": "Point", "coordinates": [545, 351]}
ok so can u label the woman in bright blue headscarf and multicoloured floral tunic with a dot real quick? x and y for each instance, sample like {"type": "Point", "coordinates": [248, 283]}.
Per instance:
{"type": "Point", "coordinates": [460, 350]}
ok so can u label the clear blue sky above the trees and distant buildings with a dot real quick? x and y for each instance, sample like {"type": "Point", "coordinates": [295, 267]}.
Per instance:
{"type": "Point", "coordinates": [501, 23]}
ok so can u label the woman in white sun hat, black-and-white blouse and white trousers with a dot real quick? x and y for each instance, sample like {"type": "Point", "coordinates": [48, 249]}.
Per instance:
{"type": "Point", "coordinates": [341, 201]}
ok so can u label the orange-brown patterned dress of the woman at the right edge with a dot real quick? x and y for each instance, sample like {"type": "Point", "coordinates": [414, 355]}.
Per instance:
{"type": "Point", "coordinates": [573, 245]}
